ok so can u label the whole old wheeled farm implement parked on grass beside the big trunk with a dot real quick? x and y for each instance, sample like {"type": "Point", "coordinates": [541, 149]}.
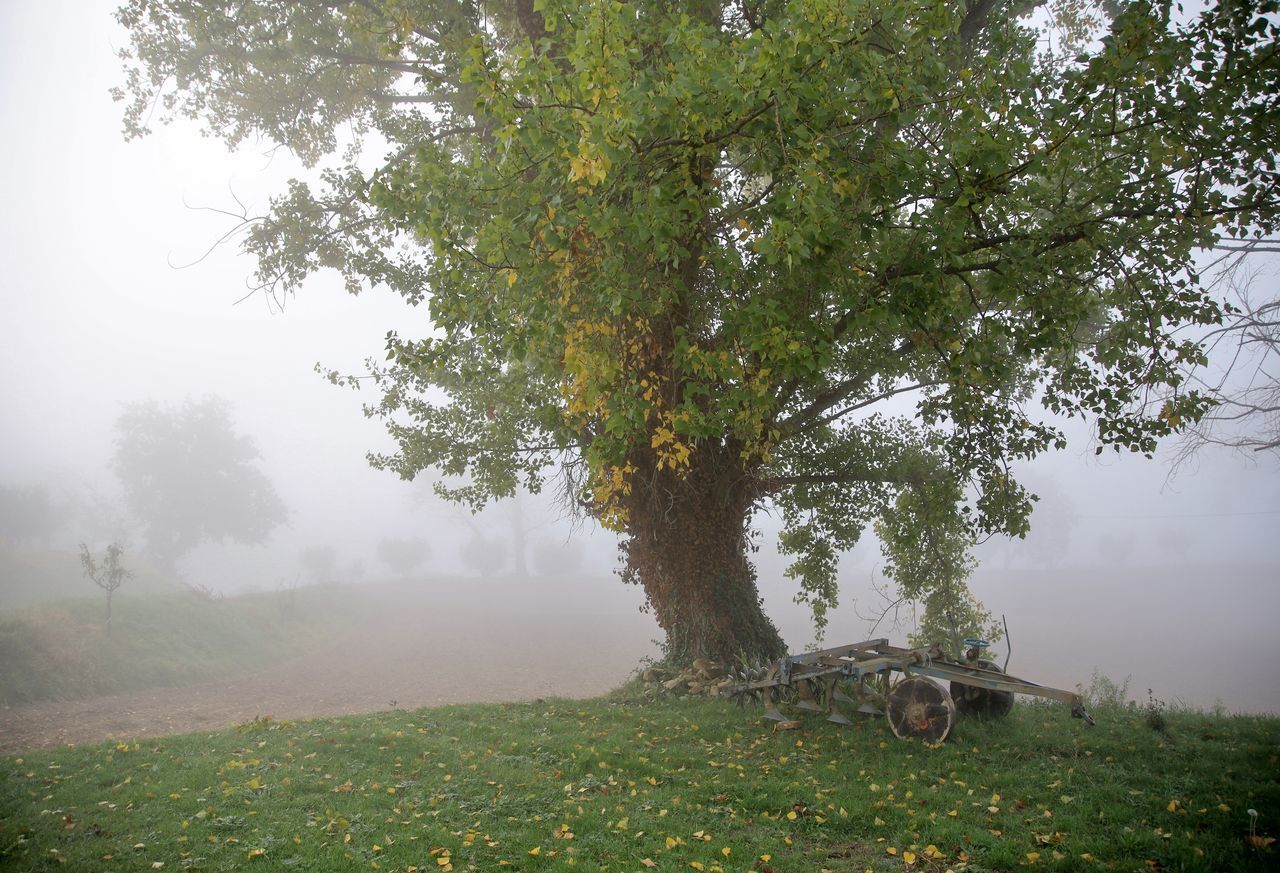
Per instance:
{"type": "Point", "coordinates": [917, 706]}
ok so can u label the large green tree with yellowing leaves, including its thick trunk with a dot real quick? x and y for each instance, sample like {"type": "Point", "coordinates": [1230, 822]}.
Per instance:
{"type": "Point", "coordinates": [828, 258]}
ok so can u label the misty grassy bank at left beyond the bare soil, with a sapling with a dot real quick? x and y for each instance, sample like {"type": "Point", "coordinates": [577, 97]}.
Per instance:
{"type": "Point", "coordinates": [61, 651]}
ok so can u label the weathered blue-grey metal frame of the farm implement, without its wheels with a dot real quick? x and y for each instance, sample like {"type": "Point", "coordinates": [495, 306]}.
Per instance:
{"type": "Point", "coordinates": [871, 660]}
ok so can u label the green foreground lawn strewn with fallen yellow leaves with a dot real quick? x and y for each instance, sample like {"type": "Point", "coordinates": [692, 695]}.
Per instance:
{"type": "Point", "coordinates": [628, 784]}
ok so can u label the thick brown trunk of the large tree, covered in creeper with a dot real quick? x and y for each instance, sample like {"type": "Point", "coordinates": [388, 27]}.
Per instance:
{"type": "Point", "coordinates": [688, 547]}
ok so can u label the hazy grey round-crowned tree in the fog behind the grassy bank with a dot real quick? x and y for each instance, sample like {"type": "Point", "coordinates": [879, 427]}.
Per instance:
{"type": "Point", "coordinates": [190, 478]}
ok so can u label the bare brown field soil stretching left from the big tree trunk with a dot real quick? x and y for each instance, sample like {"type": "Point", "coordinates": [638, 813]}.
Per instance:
{"type": "Point", "coordinates": [420, 651]}
